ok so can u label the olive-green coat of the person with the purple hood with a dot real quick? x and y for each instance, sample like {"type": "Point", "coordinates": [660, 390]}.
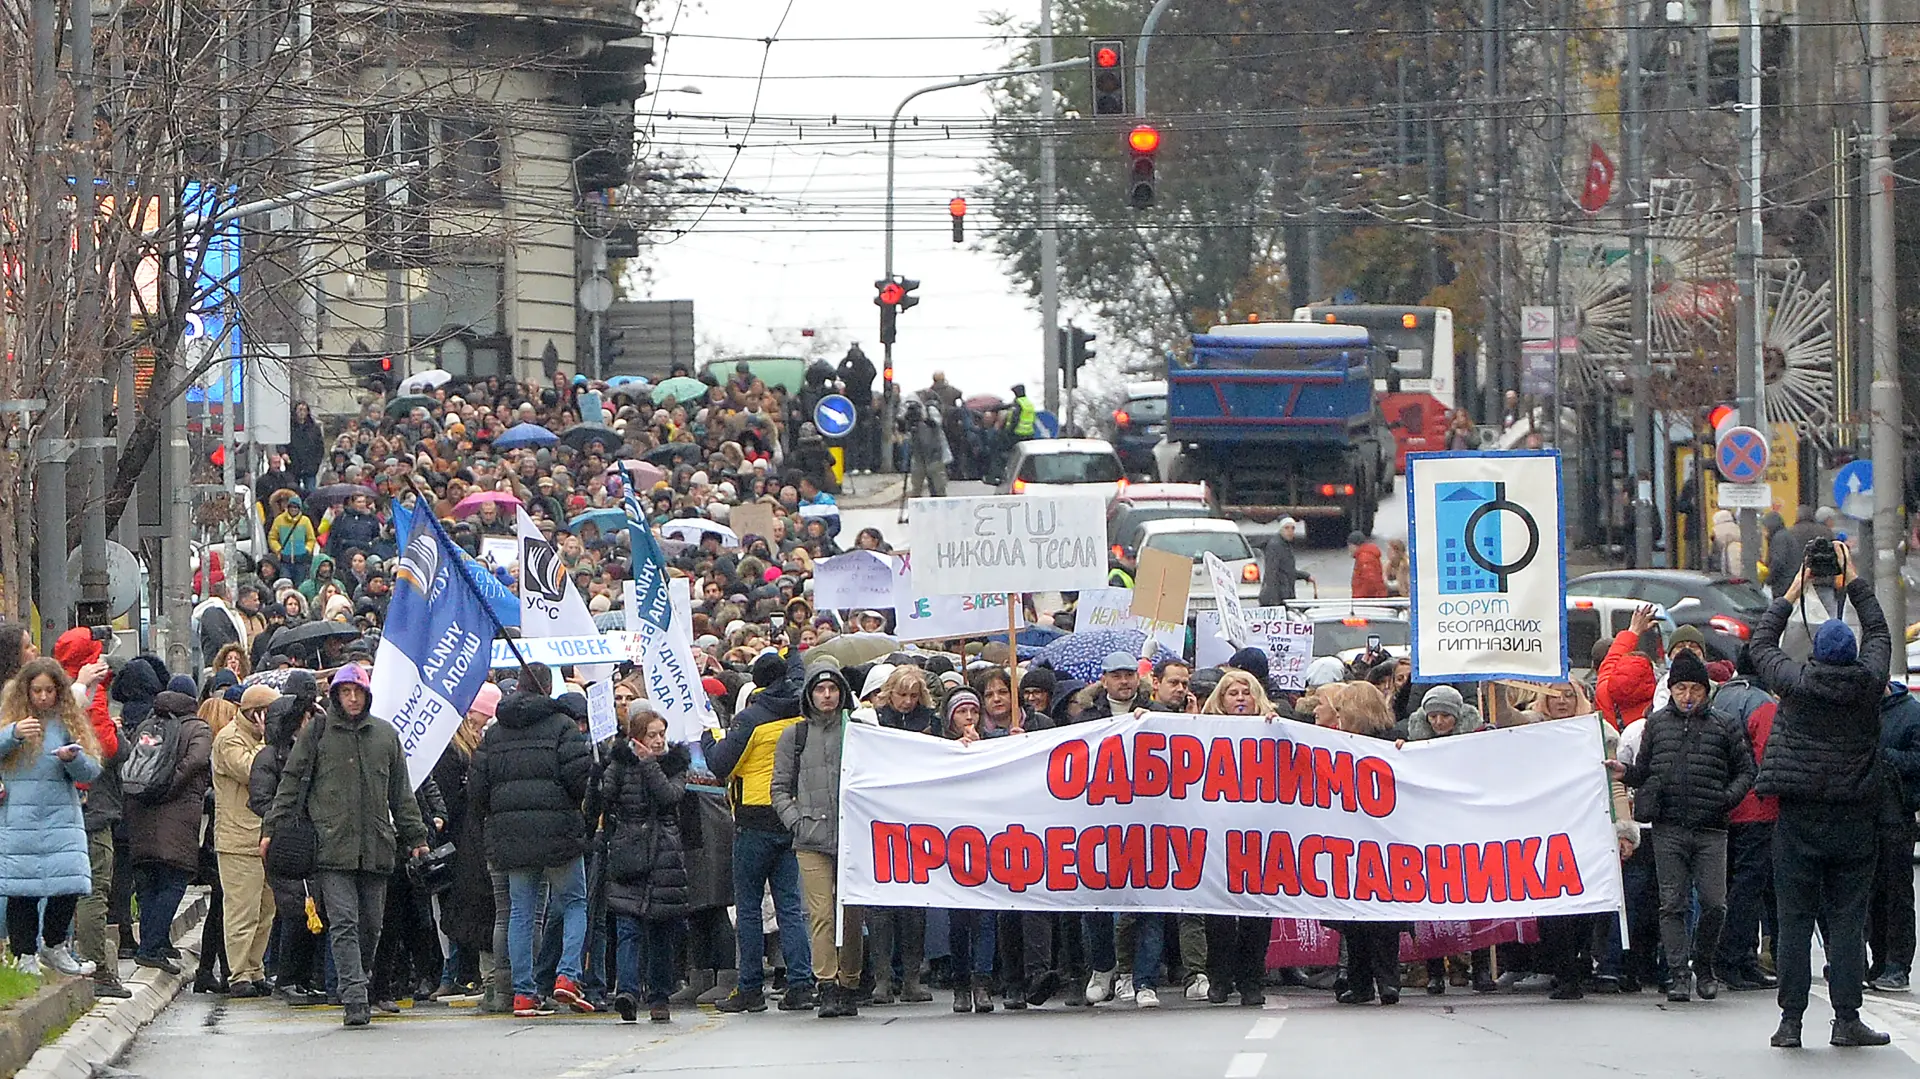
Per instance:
{"type": "Point", "coordinates": [362, 803]}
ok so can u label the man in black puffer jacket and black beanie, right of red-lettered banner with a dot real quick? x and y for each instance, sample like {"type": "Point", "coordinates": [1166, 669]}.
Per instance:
{"type": "Point", "coordinates": [1692, 771]}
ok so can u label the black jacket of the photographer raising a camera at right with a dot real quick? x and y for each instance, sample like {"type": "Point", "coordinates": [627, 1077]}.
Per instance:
{"type": "Point", "coordinates": [1827, 734]}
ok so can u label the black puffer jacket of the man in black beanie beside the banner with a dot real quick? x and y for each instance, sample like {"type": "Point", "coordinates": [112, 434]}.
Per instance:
{"type": "Point", "coordinates": [1692, 769]}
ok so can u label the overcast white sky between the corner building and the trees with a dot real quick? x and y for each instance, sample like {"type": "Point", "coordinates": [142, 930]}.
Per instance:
{"type": "Point", "coordinates": [811, 247]}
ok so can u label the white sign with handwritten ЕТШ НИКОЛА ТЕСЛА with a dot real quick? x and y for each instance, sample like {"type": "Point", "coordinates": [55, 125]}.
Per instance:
{"type": "Point", "coordinates": [1009, 544]}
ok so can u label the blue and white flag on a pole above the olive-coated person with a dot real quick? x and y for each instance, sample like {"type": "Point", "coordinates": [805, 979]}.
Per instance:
{"type": "Point", "coordinates": [435, 650]}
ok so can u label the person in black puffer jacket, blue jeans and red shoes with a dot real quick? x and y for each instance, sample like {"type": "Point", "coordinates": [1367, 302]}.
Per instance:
{"type": "Point", "coordinates": [529, 780]}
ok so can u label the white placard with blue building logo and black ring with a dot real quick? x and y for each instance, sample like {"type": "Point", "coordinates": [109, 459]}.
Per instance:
{"type": "Point", "coordinates": [1489, 565]}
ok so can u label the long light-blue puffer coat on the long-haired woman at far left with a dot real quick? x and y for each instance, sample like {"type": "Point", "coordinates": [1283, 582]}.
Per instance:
{"type": "Point", "coordinates": [43, 834]}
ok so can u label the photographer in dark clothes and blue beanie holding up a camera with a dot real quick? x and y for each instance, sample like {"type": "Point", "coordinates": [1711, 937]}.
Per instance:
{"type": "Point", "coordinates": [1823, 763]}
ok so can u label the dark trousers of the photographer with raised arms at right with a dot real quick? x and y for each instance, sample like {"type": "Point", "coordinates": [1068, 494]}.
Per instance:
{"type": "Point", "coordinates": [1823, 869]}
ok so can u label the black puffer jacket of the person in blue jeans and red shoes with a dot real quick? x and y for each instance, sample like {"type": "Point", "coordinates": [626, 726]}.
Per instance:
{"type": "Point", "coordinates": [529, 780]}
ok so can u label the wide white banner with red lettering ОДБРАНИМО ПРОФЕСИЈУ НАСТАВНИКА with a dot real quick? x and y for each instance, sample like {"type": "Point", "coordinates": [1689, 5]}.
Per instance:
{"type": "Point", "coordinates": [1224, 815]}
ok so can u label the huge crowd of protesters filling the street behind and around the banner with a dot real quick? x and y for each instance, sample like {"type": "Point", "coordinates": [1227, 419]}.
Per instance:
{"type": "Point", "coordinates": [537, 873]}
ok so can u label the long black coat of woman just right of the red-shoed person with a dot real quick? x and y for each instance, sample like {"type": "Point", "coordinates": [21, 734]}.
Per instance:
{"type": "Point", "coordinates": [646, 867]}
